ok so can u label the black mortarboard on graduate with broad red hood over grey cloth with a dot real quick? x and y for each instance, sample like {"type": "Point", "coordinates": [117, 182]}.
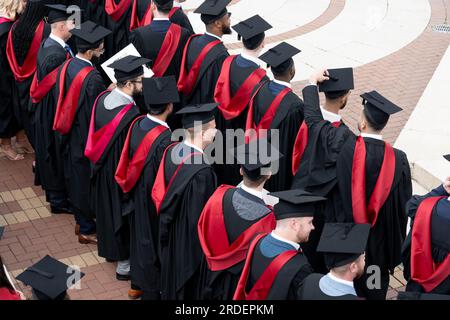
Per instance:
{"type": "Point", "coordinates": [256, 155]}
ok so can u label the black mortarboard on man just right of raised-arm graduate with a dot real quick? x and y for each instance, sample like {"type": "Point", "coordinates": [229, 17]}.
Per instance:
{"type": "Point", "coordinates": [378, 108]}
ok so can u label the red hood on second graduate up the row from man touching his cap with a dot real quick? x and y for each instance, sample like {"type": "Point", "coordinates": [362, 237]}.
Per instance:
{"type": "Point", "coordinates": [231, 107]}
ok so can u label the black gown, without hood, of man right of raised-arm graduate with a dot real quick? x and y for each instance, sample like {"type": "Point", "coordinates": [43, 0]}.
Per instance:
{"type": "Point", "coordinates": [388, 234]}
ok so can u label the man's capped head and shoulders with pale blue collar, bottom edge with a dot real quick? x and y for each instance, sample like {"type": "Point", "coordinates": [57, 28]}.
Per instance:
{"type": "Point", "coordinates": [344, 245]}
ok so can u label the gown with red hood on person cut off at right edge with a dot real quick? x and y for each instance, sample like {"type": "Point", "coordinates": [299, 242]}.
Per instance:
{"type": "Point", "coordinates": [440, 244]}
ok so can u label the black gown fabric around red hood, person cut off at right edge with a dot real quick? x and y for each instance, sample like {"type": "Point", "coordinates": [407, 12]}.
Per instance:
{"type": "Point", "coordinates": [440, 241]}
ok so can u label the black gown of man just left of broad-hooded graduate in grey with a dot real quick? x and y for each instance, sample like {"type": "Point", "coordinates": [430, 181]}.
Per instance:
{"type": "Point", "coordinates": [182, 259]}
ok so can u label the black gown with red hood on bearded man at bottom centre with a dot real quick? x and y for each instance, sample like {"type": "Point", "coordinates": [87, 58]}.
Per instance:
{"type": "Point", "coordinates": [273, 270]}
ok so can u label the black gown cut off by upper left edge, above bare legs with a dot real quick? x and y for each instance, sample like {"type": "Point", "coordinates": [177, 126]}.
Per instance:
{"type": "Point", "coordinates": [9, 125]}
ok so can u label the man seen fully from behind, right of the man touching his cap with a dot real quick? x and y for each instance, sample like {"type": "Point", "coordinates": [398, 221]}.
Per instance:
{"type": "Point", "coordinates": [374, 183]}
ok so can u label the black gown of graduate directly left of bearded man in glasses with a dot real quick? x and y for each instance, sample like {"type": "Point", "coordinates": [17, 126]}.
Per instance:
{"type": "Point", "coordinates": [77, 168]}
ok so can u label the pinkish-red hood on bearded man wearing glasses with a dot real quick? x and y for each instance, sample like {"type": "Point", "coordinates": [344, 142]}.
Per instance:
{"type": "Point", "coordinates": [98, 140]}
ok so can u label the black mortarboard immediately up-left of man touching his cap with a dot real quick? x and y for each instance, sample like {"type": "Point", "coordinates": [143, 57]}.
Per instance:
{"type": "Point", "coordinates": [279, 58]}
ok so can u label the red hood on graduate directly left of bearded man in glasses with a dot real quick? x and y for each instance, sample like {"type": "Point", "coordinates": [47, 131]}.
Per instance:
{"type": "Point", "coordinates": [68, 102]}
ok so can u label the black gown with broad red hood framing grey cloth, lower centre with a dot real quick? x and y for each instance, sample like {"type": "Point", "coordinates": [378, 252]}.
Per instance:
{"type": "Point", "coordinates": [230, 220]}
